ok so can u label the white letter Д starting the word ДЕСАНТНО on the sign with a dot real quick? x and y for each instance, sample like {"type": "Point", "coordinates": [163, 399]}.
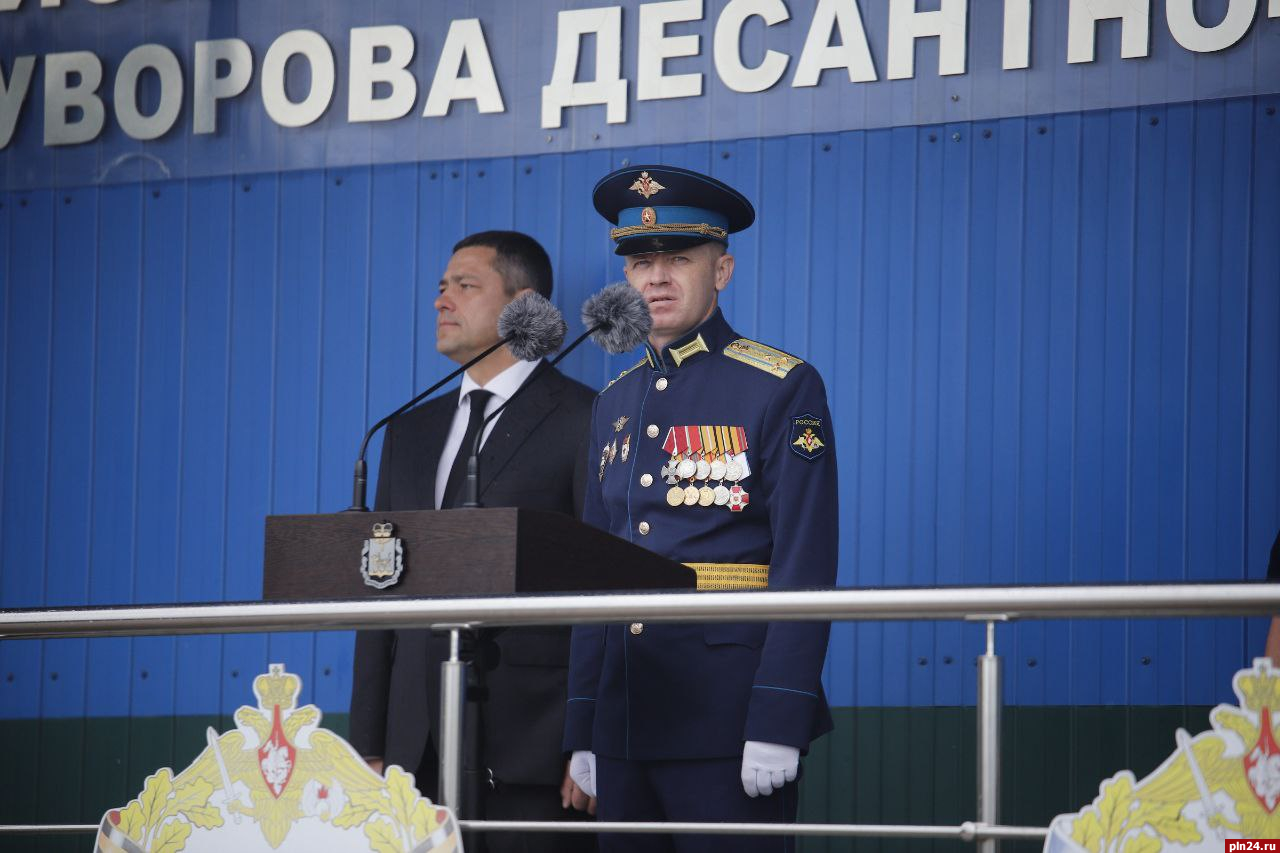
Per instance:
{"type": "Point", "coordinates": [609, 88]}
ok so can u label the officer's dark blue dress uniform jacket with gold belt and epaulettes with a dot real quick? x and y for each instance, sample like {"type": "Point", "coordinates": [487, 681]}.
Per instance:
{"type": "Point", "coordinates": [665, 691]}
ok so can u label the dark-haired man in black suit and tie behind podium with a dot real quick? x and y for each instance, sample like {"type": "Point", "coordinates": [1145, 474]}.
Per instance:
{"type": "Point", "coordinates": [534, 458]}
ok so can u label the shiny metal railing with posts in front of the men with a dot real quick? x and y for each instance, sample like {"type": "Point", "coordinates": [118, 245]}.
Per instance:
{"type": "Point", "coordinates": [989, 605]}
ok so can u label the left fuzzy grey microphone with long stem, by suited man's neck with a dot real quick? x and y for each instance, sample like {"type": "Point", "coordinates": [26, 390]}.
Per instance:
{"type": "Point", "coordinates": [531, 327]}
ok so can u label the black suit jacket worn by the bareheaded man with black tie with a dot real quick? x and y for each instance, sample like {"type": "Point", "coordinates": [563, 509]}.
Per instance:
{"type": "Point", "coordinates": [533, 459]}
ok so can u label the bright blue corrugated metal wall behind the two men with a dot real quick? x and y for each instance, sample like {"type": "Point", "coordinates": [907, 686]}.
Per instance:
{"type": "Point", "coordinates": [1052, 346]}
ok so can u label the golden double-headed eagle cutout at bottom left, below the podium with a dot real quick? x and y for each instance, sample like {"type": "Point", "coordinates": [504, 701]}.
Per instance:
{"type": "Point", "coordinates": [278, 777]}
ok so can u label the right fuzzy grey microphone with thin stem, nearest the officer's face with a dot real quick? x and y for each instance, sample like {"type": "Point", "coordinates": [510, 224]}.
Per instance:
{"type": "Point", "coordinates": [616, 318]}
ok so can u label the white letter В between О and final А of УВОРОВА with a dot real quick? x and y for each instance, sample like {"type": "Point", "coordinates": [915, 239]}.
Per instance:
{"type": "Point", "coordinates": [367, 72]}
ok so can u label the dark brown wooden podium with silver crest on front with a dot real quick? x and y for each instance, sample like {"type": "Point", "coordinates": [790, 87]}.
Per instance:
{"type": "Point", "coordinates": [458, 553]}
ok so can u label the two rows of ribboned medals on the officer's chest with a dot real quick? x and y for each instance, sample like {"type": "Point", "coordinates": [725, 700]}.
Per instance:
{"type": "Point", "coordinates": [701, 460]}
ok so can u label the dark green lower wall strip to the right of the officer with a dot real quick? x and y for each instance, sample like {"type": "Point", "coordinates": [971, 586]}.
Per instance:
{"type": "Point", "coordinates": [920, 767]}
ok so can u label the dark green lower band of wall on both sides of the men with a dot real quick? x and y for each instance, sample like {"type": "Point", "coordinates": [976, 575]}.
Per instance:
{"type": "Point", "coordinates": [879, 767]}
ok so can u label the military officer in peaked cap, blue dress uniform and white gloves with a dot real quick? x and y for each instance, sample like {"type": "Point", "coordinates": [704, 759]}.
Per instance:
{"type": "Point", "coordinates": [716, 451]}
